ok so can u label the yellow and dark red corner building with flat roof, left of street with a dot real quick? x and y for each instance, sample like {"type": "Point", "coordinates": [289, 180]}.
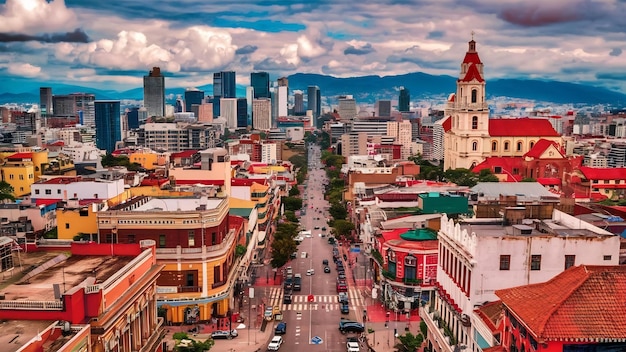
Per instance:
{"type": "Point", "coordinates": [194, 243]}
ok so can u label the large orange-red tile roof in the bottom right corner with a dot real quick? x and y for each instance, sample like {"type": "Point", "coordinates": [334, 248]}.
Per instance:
{"type": "Point", "coordinates": [584, 303]}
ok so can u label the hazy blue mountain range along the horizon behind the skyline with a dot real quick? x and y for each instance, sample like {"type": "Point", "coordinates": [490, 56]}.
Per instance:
{"type": "Point", "coordinates": [365, 89]}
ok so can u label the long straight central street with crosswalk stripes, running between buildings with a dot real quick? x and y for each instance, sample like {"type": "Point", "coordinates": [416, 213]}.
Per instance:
{"type": "Point", "coordinates": [320, 318]}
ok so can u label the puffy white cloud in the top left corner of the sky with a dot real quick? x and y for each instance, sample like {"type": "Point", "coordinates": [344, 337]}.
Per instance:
{"type": "Point", "coordinates": [35, 16]}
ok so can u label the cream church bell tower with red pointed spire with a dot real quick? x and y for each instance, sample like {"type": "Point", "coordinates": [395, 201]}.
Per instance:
{"type": "Point", "coordinates": [467, 142]}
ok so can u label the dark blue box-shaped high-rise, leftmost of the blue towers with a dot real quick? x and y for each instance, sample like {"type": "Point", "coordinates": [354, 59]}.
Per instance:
{"type": "Point", "coordinates": [108, 124]}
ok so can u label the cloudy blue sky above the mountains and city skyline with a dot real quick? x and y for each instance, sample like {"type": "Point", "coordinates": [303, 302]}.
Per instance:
{"type": "Point", "coordinates": [112, 44]}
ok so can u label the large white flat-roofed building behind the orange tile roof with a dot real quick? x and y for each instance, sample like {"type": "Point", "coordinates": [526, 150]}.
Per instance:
{"type": "Point", "coordinates": [479, 256]}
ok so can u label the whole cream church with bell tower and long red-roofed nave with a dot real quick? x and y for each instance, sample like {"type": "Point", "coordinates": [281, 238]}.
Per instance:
{"type": "Point", "coordinates": [471, 136]}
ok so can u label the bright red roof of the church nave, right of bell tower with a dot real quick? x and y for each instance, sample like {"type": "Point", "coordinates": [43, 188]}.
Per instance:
{"type": "Point", "coordinates": [521, 127]}
